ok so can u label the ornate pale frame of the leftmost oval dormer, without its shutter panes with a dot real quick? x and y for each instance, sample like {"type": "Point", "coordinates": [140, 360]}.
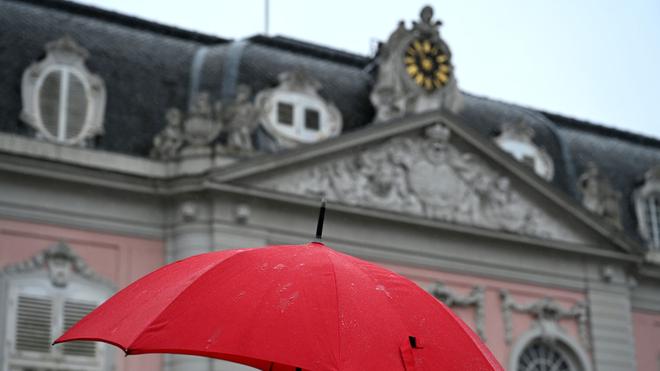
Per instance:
{"type": "Point", "coordinates": [66, 57]}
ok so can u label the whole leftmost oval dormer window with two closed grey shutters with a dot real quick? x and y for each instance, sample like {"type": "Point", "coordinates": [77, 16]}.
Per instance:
{"type": "Point", "coordinates": [62, 100]}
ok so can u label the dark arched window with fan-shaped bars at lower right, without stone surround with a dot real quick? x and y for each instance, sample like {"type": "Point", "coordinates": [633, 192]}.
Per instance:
{"type": "Point", "coordinates": [542, 356]}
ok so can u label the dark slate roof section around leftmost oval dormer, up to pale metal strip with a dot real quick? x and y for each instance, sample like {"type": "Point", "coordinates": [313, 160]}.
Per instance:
{"type": "Point", "coordinates": [145, 66]}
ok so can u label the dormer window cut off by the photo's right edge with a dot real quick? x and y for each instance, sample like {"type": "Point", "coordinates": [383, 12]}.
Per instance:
{"type": "Point", "coordinates": [647, 205]}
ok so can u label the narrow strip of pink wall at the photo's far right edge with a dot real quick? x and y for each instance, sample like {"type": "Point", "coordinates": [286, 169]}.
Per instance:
{"type": "Point", "coordinates": [647, 340]}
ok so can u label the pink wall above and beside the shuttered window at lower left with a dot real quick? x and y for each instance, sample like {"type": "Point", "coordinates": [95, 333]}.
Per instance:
{"type": "Point", "coordinates": [120, 259]}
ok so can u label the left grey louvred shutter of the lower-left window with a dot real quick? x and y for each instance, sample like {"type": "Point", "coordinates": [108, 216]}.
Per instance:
{"type": "Point", "coordinates": [33, 324]}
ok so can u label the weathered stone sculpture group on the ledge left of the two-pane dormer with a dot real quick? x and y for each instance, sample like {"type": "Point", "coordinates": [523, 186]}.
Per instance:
{"type": "Point", "coordinates": [203, 124]}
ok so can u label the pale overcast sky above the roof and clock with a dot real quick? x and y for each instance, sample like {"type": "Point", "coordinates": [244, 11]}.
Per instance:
{"type": "Point", "coordinates": [596, 60]}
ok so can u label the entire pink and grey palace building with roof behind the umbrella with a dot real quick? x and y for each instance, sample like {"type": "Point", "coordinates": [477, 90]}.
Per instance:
{"type": "Point", "coordinates": [126, 145]}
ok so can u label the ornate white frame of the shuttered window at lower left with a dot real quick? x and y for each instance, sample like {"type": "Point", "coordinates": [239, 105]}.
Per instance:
{"type": "Point", "coordinates": [35, 278]}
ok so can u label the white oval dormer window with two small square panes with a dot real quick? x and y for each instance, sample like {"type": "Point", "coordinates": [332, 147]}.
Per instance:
{"type": "Point", "coordinates": [295, 113]}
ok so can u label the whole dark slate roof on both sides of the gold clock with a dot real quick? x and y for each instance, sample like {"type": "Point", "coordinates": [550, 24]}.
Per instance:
{"type": "Point", "coordinates": [148, 67]}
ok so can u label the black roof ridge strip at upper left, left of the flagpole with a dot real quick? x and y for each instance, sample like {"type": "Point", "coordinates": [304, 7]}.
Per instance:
{"type": "Point", "coordinates": [125, 20]}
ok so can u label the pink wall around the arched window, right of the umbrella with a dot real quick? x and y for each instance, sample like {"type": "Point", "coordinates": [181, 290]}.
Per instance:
{"type": "Point", "coordinates": [494, 324]}
